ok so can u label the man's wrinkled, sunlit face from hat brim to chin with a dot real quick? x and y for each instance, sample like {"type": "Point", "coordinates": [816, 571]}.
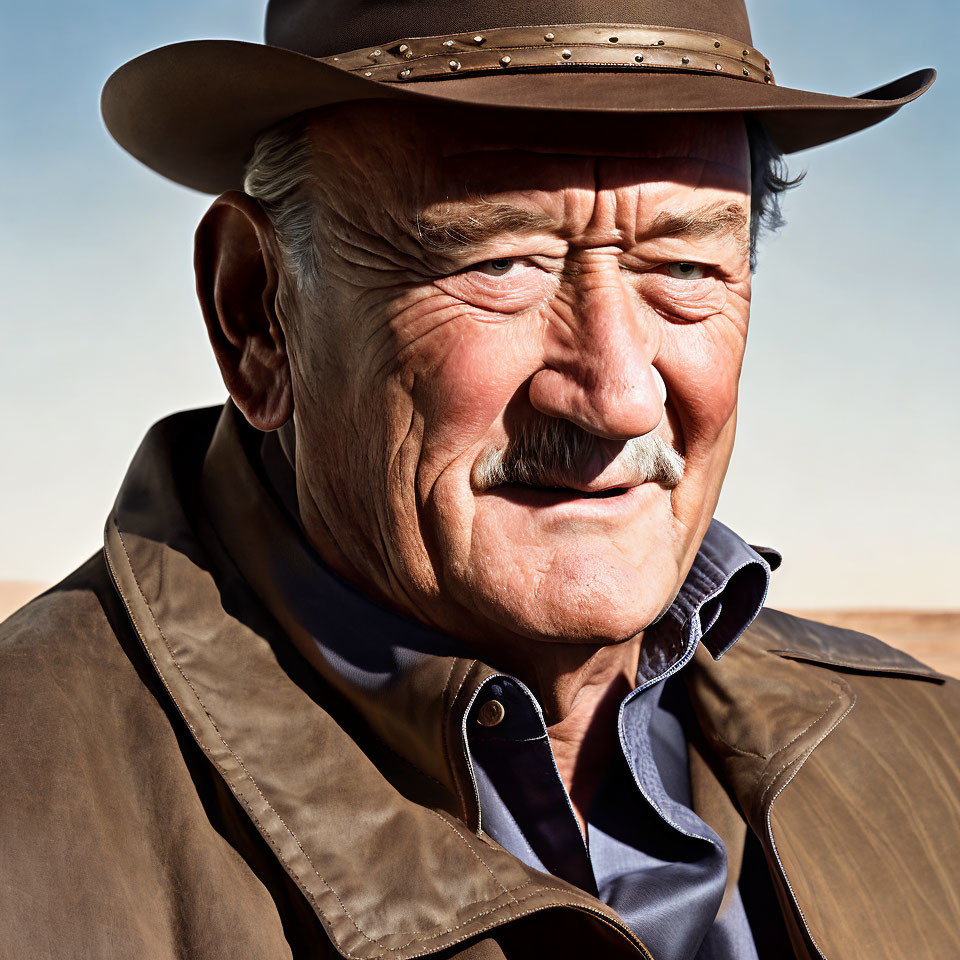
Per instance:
{"type": "Point", "coordinates": [477, 290]}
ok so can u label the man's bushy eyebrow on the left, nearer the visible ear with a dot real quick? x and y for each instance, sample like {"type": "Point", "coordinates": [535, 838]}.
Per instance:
{"type": "Point", "coordinates": [457, 233]}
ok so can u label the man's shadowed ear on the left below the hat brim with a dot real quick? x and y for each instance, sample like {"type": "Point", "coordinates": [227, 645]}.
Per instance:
{"type": "Point", "coordinates": [235, 260]}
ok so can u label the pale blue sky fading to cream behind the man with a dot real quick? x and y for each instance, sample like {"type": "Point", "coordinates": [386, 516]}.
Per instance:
{"type": "Point", "coordinates": [848, 454]}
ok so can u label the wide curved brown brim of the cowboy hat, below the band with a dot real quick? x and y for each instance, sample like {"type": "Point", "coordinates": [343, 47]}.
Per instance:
{"type": "Point", "coordinates": [191, 111]}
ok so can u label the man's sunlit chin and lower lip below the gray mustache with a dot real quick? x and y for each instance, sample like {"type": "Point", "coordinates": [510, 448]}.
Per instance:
{"type": "Point", "coordinates": [563, 572]}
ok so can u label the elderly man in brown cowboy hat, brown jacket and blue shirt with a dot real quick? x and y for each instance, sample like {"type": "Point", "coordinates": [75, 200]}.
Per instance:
{"type": "Point", "coordinates": [399, 653]}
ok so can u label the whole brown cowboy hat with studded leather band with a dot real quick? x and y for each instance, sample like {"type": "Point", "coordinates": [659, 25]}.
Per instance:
{"type": "Point", "coordinates": [192, 111]}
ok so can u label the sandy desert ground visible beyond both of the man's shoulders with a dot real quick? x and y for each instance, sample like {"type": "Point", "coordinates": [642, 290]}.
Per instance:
{"type": "Point", "coordinates": [930, 636]}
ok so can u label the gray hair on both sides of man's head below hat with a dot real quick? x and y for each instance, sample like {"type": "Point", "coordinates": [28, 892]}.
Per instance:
{"type": "Point", "coordinates": [281, 176]}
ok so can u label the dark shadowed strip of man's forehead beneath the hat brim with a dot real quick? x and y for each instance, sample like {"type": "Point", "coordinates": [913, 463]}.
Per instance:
{"type": "Point", "coordinates": [433, 155]}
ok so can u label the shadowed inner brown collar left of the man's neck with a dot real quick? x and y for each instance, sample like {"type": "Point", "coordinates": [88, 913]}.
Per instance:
{"type": "Point", "coordinates": [399, 675]}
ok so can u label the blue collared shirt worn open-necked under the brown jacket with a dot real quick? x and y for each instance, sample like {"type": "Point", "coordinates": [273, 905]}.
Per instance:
{"type": "Point", "coordinates": [644, 851]}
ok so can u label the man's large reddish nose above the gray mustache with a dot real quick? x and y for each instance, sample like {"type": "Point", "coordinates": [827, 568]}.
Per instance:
{"type": "Point", "coordinates": [599, 369]}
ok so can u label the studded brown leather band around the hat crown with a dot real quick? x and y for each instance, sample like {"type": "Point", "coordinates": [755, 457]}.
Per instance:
{"type": "Point", "coordinates": [563, 46]}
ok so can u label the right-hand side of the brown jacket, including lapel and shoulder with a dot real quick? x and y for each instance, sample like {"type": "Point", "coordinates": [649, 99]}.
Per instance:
{"type": "Point", "coordinates": [766, 711]}
